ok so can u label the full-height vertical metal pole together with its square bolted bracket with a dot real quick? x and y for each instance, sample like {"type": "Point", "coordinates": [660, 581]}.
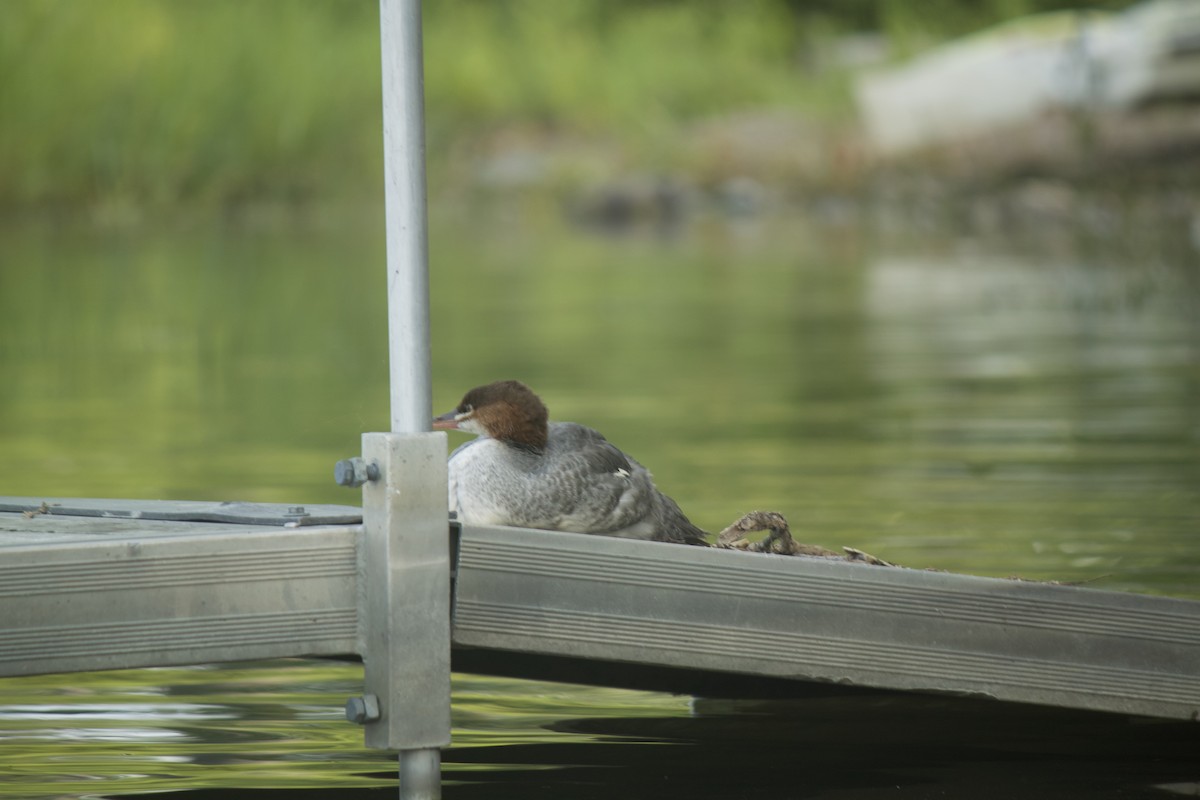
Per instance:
{"type": "Point", "coordinates": [407, 563]}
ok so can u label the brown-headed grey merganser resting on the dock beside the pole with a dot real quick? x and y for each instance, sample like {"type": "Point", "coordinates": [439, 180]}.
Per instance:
{"type": "Point", "coordinates": [526, 472]}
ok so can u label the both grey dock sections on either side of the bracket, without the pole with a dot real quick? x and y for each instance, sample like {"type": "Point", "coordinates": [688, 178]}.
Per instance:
{"type": "Point", "coordinates": [106, 585]}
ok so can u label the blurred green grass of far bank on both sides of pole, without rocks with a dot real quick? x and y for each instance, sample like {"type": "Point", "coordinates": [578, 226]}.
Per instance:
{"type": "Point", "coordinates": [160, 105]}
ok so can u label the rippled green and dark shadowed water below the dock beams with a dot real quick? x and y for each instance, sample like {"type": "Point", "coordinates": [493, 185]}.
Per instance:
{"type": "Point", "coordinates": [277, 731]}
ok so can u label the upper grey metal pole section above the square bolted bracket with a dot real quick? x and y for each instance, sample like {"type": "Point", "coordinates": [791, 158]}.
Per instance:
{"type": "Point", "coordinates": [409, 282]}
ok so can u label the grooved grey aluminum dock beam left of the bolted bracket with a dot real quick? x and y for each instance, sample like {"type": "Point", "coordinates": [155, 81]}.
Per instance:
{"type": "Point", "coordinates": [173, 594]}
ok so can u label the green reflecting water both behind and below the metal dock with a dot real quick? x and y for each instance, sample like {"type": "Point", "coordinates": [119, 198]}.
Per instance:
{"type": "Point", "coordinates": [1003, 411]}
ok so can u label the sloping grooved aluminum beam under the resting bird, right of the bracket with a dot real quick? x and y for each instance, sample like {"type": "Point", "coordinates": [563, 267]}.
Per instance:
{"type": "Point", "coordinates": [577, 598]}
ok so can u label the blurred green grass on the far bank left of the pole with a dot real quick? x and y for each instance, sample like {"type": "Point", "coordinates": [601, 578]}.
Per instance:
{"type": "Point", "coordinates": [172, 103]}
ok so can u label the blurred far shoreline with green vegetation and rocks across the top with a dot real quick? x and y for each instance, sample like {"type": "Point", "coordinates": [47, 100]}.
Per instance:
{"type": "Point", "coordinates": [133, 111]}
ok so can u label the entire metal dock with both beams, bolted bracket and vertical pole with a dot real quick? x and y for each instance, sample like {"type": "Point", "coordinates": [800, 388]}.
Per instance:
{"type": "Point", "coordinates": [110, 585]}
